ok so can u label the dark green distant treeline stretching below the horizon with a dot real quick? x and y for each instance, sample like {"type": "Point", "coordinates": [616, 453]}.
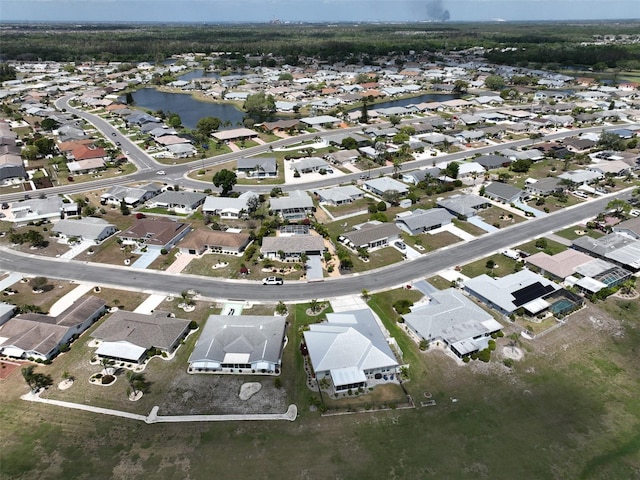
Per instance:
{"type": "Point", "coordinates": [537, 43]}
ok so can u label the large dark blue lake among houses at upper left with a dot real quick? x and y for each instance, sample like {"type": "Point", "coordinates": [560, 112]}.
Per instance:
{"type": "Point", "coordinates": [189, 109]}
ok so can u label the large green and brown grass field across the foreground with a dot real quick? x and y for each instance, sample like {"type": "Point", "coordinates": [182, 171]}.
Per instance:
{"type": "Point", "coordinates": [575, 393]}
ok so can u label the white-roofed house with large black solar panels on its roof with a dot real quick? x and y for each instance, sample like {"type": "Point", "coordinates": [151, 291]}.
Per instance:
{"type": "Point", "coordinates": [521, 290]}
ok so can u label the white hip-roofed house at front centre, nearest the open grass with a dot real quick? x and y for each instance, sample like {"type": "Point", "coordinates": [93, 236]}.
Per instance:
{"type": "Point", "coordinates": [349, 349]}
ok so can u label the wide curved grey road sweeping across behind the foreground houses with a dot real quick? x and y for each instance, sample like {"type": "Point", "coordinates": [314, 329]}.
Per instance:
{"type": "Point", "coordinates": [393, 275]}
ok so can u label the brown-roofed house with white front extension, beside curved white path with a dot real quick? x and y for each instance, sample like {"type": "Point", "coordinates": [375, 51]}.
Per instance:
{"type": "Point", "coordinates": [129, 336]}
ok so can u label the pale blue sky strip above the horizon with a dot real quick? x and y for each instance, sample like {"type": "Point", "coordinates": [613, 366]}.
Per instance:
{"type": "Point", "coordinates": [213, 11]}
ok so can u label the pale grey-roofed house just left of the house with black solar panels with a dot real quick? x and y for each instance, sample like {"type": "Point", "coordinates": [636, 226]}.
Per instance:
{"type": "Point", "coordinates": [451, 318]}
